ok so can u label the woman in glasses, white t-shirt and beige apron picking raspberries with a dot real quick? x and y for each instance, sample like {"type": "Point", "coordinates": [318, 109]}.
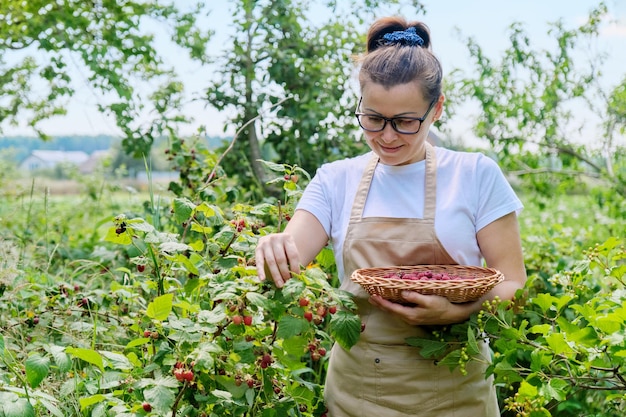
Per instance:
{"type": "Point", "coordinates": [403, 203]}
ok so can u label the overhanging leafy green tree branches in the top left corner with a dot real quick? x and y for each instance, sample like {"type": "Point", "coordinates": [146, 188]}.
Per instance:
{"type": "Point", "coordinates": [112, 49]}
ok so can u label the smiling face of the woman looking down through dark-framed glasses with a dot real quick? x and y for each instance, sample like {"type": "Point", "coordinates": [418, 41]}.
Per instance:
{"type": "Point", "coordinates": [404, 100]}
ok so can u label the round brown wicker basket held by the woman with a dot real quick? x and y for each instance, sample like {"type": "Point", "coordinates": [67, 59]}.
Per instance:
{"type": "Point", "coordinates": [474, 281]}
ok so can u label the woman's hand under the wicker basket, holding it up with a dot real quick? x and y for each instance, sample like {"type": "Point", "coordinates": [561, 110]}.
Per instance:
{"type": "Point", "coordinates": [423, 309]}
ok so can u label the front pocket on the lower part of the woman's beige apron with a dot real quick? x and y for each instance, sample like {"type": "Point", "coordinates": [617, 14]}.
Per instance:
{"type": "Point", "coordinates": [405, 381]}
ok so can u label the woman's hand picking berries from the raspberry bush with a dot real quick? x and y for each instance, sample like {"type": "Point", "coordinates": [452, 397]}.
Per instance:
{"type": "Point", "coordinates": [278, 256]}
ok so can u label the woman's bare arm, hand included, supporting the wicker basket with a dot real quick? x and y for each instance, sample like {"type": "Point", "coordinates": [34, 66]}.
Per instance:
{"type": "Point", "coordinates": [501, 247]}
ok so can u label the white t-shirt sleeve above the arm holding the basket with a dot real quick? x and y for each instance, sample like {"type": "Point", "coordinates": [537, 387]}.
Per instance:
{"type": "Point", "coordinates": [496, 197]}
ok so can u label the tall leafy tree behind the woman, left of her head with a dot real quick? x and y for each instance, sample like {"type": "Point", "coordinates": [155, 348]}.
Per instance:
{"type": "Point", "coordinates": [280, 55]}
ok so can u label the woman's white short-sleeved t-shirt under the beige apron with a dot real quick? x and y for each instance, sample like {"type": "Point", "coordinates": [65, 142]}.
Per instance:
{"type": "Point", "coordinates": [471, 193]}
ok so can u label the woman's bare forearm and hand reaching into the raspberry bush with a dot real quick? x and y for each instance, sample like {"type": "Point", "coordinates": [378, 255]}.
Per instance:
{"type": "Point", "coordinates": [281, 254]}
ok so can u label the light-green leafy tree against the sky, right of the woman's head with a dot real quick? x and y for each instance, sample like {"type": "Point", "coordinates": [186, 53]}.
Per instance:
{"type": "Point", "coordinates": [526, 100]}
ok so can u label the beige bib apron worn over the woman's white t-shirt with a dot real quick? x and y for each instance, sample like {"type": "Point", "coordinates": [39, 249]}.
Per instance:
{"type": "Point", "coordinates": [382, 376]}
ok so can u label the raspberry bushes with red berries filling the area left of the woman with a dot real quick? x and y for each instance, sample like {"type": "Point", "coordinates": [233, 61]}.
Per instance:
{"type": "Point", "coordinates": [165, 309]}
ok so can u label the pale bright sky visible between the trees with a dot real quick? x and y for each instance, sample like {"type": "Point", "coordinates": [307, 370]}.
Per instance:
{"type": "Point", "coordinates": [486, 21]}
